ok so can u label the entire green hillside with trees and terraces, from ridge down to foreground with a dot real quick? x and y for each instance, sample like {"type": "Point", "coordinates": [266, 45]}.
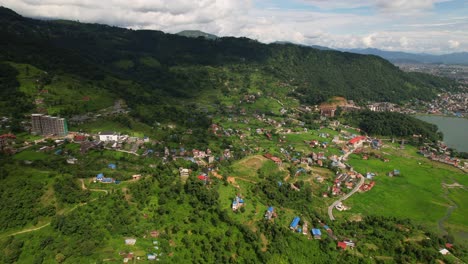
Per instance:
{"type": "Point", "coordinates": [251, 106]}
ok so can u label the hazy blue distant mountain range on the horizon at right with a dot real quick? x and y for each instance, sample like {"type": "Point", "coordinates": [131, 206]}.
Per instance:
{"type": "Point", "coordinates": [404, 57]}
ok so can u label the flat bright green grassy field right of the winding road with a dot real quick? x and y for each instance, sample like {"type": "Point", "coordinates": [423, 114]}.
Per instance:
{"type": "Point", "coordinates": [416, 194]}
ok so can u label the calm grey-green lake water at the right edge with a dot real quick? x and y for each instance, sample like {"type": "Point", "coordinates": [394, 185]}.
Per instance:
{"type": "Point", "coordinates": [455, 130]}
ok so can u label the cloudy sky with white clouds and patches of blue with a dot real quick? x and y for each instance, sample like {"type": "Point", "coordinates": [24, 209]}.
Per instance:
{"type": "Point", "coordinates": [429, 26]}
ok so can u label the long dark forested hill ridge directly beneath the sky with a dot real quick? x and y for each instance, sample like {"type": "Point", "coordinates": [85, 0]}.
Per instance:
{"type": "Point", "coordinates": [160, 65]}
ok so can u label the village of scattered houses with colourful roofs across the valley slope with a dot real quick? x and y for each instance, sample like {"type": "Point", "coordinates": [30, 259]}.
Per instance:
{"type": "Point", "coordinates": [285, 139]}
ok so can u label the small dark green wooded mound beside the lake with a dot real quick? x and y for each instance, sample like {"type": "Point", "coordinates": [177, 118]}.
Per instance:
{"type": "Point", "coordinates": [393, 124]}
